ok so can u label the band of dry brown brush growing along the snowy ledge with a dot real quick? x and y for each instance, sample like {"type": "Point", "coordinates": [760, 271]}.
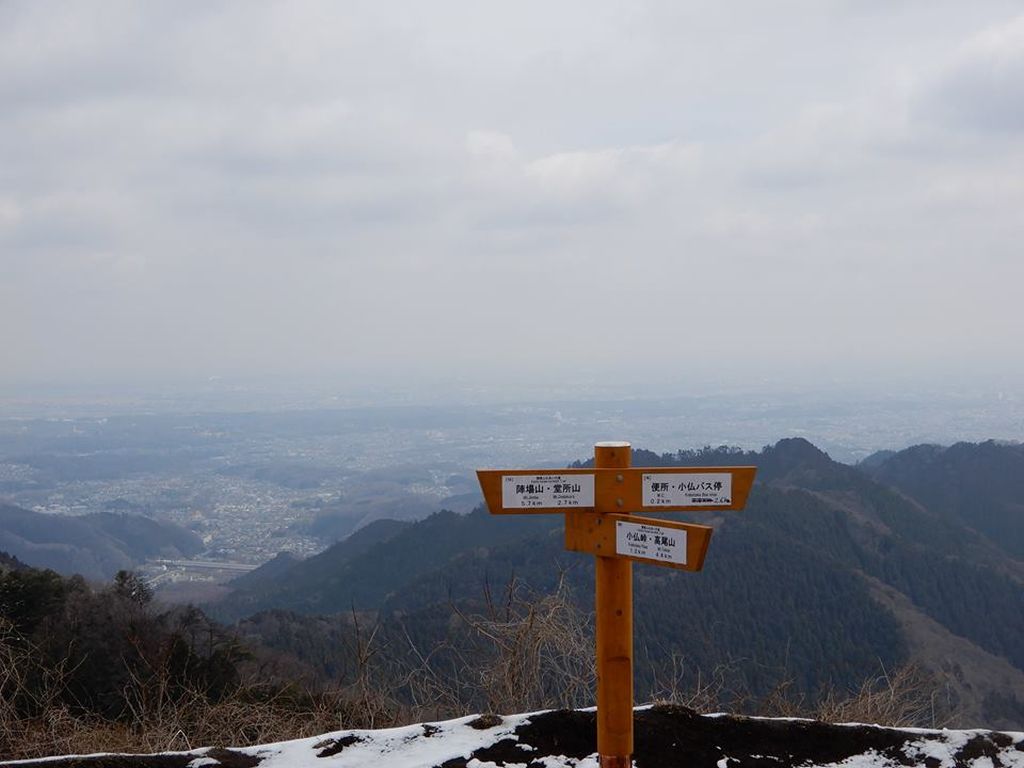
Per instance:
{"type": "Point", "coordinates": [527, 652]}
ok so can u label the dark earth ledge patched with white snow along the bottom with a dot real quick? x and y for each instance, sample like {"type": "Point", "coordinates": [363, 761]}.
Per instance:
{"type": "Point", "coordinates": [666, 738]}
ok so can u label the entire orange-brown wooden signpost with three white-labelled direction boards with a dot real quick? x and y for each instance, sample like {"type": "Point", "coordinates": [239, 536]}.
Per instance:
{"type": "Point", "coordinates": [599, 505]}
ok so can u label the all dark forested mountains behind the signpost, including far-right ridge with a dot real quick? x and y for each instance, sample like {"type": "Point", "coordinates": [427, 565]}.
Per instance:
{"type": "Point", "coordinates": [832, 575]}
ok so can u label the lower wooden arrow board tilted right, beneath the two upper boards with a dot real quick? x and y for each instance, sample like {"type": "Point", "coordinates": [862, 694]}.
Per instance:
{"type": "Point", "coordinates": [677, 545]}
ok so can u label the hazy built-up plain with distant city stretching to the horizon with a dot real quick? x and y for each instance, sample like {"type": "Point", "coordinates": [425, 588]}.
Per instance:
{"type": "Point", "coordinates": [253, 484]}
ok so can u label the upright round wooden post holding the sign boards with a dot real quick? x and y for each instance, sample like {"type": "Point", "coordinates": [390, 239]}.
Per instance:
{"type": "Point", "coordinates": [614, 590]}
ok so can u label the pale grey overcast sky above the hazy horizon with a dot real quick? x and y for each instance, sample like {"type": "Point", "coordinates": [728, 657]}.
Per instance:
{"type": "Point", "coordinates": [671, 189]}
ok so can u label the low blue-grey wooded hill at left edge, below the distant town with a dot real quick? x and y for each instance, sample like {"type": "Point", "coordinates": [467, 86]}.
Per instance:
{"type": "Point", "coordinates": [97, 546]}
